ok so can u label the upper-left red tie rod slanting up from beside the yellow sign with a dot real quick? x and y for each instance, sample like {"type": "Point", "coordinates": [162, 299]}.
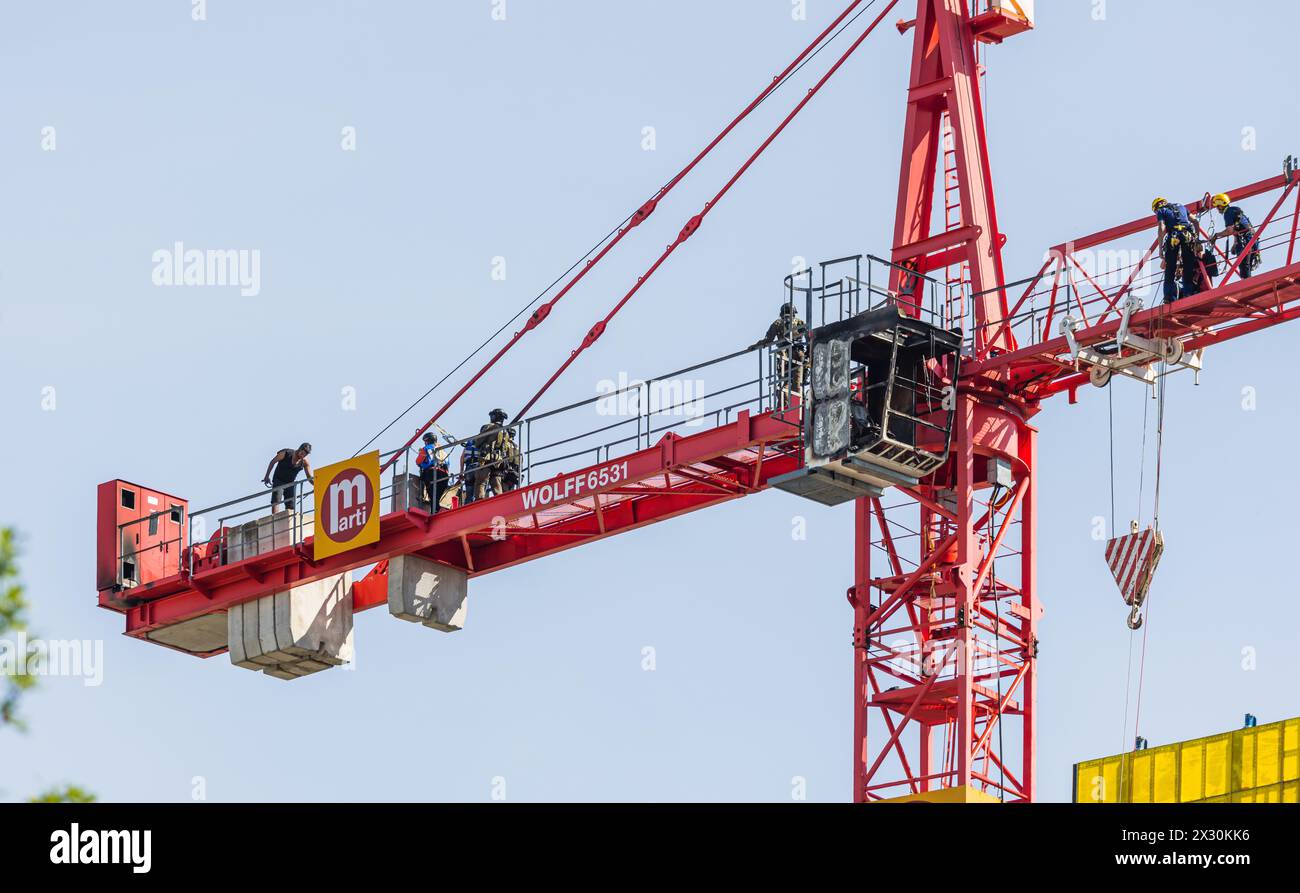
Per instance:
{"type": "Point", "coordinates": [618, 235]}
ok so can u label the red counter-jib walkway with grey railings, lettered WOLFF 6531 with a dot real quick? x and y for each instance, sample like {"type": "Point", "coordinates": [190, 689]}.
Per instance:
{"type": "Point", "coordinates": [632, 457]}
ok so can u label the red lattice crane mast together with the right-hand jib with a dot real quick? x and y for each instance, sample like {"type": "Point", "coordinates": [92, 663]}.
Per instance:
{"type": "Point", "coordinates": [946, 592]}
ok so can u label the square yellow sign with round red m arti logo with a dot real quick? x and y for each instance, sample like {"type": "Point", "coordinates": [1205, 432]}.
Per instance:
{"type": "Point", "coordinates": [348, 506]}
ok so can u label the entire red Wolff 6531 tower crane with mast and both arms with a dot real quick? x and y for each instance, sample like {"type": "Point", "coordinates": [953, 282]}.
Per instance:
{"type": "Point", "coordinates": [944, 592]}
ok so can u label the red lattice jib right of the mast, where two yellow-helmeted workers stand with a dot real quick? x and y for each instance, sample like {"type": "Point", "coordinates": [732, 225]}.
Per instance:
{"type": "Point", "coordinates": [1072, 327]}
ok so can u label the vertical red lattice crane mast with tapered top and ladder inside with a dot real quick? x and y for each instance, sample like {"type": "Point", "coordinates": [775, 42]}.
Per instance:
{"type": "Point", "coordinates": [946, 639]}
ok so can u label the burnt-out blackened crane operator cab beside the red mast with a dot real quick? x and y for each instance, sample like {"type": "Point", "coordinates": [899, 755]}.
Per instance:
{"type": "Point", "coordinates": [878, 409]}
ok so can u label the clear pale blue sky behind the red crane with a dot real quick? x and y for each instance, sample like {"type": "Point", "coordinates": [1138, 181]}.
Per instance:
{"type": "Point", "coordinates": [523, 140]}
